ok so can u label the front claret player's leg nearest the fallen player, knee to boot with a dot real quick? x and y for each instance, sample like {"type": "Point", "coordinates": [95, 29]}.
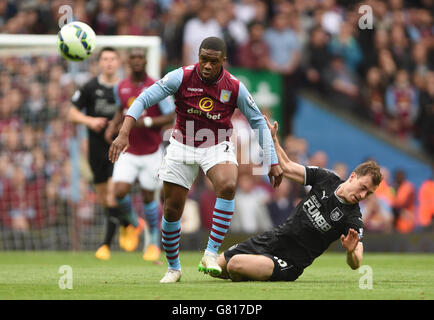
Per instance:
{"type": "Point", "coordinates": [223, 176]}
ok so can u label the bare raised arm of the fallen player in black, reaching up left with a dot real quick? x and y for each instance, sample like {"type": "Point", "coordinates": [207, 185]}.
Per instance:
{"type": "Point", "coordinates": [291, 170]}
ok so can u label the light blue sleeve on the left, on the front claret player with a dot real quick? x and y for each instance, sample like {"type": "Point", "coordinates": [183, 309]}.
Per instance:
{"type": "Point", "coordinates": [160, 90]}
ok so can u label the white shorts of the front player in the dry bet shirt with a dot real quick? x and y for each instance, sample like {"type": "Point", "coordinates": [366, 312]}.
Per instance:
{"type": "Point", "coordinates": [181, 162]}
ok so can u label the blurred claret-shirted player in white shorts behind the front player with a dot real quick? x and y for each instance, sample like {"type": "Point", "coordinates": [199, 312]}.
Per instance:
{"type": "Point", "coordinates": [144, 156]}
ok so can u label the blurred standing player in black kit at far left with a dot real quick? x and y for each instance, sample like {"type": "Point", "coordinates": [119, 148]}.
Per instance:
{"type": "Point", "coordinates": [97, 100]}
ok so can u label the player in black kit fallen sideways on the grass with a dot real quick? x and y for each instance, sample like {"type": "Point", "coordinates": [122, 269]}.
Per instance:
{"type": "Point", "coordinates": [329, 212]}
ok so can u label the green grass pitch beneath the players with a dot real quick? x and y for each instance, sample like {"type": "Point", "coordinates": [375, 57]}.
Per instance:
{"type": "Point", "coordinates": [34, 275]}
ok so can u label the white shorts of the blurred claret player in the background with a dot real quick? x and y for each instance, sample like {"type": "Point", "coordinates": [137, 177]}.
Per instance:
{"type": "Point", "coordinates": [130, 167]}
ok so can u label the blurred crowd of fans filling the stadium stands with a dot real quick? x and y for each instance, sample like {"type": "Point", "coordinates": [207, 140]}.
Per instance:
{"type": "Point", "coordinates": [382, 74]}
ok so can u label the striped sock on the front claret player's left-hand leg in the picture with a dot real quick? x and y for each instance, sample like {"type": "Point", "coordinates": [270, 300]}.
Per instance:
{"type": "Point", "coordinates": [170, 236]}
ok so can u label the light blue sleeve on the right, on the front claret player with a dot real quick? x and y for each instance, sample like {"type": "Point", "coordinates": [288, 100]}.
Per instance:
{"type": "Point", "coordinates": [248, 107]}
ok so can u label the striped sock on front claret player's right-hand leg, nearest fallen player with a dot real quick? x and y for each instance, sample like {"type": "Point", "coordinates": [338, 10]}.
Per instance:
{"type": "Point", "coordinates": [221, 220]}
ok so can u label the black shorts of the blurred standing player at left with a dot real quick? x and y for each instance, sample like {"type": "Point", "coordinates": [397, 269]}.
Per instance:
{"type": "Point", "coordinates": [101, 166]}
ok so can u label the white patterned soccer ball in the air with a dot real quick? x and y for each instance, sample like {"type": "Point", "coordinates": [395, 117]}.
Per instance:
{"type": "Point", "coordinates": [76, 41]}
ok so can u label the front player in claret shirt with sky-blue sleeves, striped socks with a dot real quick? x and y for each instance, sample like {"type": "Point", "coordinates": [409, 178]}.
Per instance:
{"type": "Point", "coordinates": [206, 96]}
